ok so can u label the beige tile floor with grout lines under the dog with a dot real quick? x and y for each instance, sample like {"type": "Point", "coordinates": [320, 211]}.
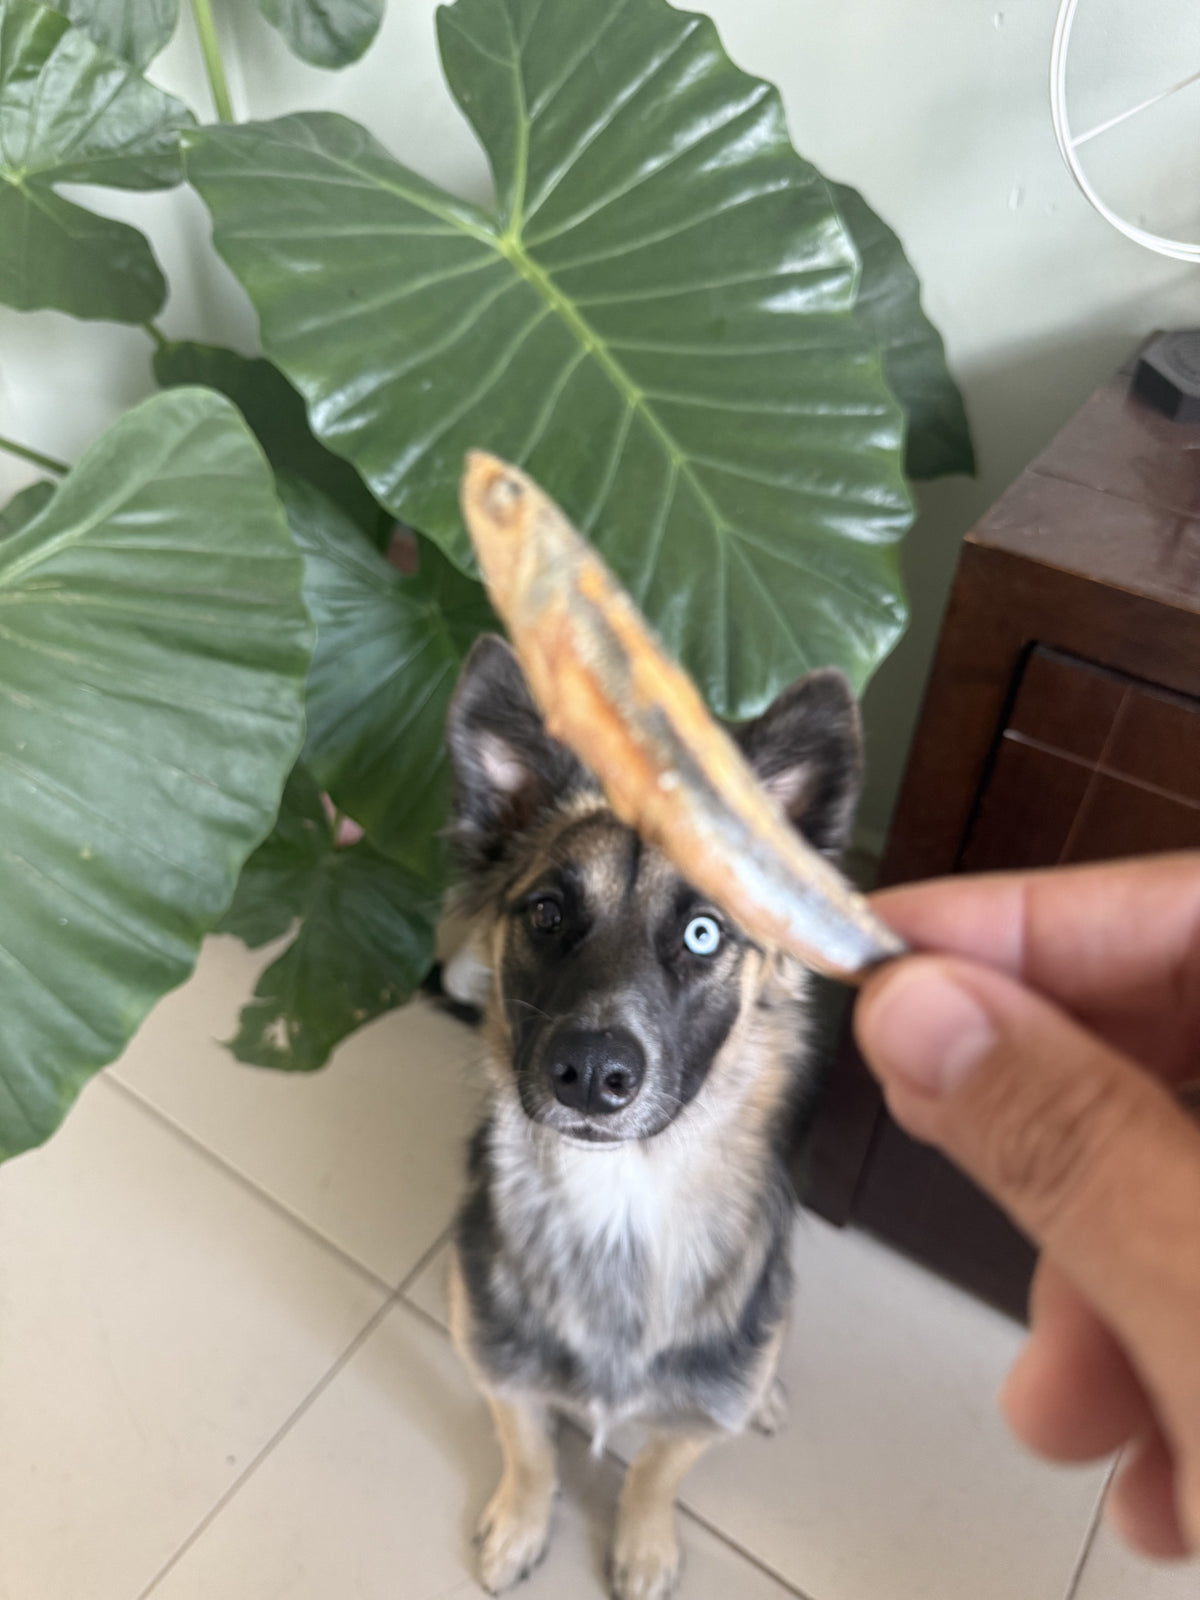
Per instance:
{"type": "Point", "coordinates": [225, 1374]}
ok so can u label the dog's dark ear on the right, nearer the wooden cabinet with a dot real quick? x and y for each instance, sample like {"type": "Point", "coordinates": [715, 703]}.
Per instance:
{"type": "Point", "coordinates": [807, 750]}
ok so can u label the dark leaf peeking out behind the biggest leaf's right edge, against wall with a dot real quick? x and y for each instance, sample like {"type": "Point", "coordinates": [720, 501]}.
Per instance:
{"type": "Point", "coordinates": [914, 358]}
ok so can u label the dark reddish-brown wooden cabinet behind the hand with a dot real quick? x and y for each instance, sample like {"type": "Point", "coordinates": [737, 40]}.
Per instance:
{"type": "Point", "coordinates": [1062, 722]}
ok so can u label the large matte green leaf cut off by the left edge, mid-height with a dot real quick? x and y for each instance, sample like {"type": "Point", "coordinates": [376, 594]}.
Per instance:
{"type": "Point", "coordinates": [153, 657]}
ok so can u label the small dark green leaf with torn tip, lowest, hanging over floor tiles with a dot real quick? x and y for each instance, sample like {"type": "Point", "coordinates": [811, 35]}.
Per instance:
{"type": "Point", "coordinates": [364, 945]}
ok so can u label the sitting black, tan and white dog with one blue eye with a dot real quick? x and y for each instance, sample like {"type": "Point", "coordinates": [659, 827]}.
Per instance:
{"type": "Point", "coordinates": [623, 1247]}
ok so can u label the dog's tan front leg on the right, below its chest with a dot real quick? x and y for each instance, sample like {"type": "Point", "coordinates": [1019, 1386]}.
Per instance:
{"type": "Point", "coordinates": [646, 1550]}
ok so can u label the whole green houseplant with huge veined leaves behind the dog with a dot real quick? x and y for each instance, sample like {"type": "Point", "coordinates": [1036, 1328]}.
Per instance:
{"type": "Point", "coordinates": [711, 358]}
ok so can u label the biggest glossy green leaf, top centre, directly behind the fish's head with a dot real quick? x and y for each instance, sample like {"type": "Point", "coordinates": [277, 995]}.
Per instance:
{"type": "Point", "coordinates": [655, 322]}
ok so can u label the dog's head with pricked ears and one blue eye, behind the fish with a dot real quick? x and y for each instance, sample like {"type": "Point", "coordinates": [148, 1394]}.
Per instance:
{"type": "Point", "coordinates": [615, 983]}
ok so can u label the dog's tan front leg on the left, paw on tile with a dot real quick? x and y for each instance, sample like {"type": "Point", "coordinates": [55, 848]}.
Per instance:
{"type": "Point", "coordinates": [516, 1527]}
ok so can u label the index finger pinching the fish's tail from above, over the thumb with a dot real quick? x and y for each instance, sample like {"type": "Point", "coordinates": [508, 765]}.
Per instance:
{"type": "Point", "coordinates": [1118, 945]}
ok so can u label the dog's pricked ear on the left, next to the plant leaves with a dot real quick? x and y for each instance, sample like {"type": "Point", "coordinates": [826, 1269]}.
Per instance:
{"type": "Point", "coordinates": [508, 770]}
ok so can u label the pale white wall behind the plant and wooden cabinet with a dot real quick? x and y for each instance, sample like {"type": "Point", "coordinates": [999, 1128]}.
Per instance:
{"type": "Point", "coordinates": [937, 110]}
